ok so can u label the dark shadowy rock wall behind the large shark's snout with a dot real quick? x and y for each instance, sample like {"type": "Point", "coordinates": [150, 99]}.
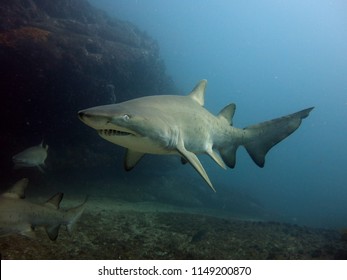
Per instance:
{"type": "Point", "coordinates": [57, 57]}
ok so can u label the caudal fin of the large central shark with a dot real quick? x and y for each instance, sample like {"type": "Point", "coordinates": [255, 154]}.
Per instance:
{"type": "Point", "coordinates": [260, 138]}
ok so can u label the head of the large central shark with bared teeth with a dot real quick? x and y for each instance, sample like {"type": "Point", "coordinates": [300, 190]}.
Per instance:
{"type": "Point", "coordinates": [133, 126]}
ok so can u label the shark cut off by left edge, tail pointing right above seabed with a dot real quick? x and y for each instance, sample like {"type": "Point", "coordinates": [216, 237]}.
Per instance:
{"type": "Point", "coordinates": [19, 216]}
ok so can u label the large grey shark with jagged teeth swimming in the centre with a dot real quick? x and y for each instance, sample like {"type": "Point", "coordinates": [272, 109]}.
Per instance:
{"type": "Point", "coordinates": [170, 124]}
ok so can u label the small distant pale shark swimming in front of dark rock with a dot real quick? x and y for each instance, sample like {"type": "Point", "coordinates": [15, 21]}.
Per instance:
{"type": "Point", "coordinates": [32, 157]}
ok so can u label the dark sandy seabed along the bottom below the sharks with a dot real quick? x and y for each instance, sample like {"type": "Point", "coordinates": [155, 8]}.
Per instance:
{"type": "Point", "coordinates": [111, 229]}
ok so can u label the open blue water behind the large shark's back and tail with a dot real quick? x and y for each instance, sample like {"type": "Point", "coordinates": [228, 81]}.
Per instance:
{"type": "Point", "coordinates": [271, 58]}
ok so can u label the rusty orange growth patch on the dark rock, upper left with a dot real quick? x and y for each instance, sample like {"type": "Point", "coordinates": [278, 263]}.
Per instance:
{"type": "Point", "coordinates": [12, 37]}
